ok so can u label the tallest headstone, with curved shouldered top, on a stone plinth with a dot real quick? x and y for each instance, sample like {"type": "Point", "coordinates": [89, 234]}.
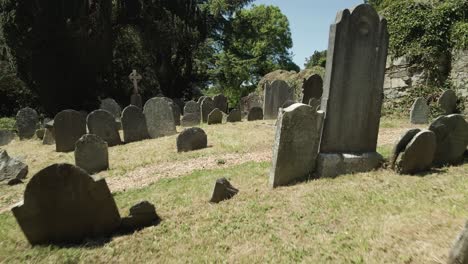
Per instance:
{"type": "Point", "coordinates": [353, 92]}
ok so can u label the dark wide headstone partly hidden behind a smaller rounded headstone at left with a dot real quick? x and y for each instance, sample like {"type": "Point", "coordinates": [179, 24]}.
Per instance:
{"type": "Point", "coordinates": [69, 126]}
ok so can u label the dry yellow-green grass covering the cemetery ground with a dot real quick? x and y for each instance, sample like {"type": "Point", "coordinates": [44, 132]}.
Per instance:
{"type": "Point", "coordinates": [376, 217]}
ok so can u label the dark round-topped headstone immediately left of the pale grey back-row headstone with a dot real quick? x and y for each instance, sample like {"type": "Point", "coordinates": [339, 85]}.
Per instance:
{"type": "Point", "coordinates": [134, 124]}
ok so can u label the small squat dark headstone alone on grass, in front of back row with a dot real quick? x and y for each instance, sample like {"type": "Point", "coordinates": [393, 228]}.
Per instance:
{"type": "Point", "coordinates": [191, 139]}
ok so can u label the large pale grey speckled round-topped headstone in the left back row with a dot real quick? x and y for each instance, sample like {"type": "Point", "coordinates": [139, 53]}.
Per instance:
{"type": "Point", "coordinates": [159, 118]}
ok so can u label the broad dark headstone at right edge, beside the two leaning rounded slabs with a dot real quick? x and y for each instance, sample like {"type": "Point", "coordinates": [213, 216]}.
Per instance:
{"type": "Point", "coordinates": [452, 138]}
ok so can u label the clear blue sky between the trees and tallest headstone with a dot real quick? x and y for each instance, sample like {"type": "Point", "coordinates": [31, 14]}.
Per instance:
{"type": "Point", "coordinates": [310, 22]}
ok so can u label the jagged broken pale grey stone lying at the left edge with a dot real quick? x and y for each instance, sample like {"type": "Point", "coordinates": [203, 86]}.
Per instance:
{"type": "Point", "coordinates": [11, 170]}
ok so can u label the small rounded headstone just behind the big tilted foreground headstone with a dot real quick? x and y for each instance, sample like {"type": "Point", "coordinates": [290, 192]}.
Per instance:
{"type": "Point", "coordinates": [91, 154]}
